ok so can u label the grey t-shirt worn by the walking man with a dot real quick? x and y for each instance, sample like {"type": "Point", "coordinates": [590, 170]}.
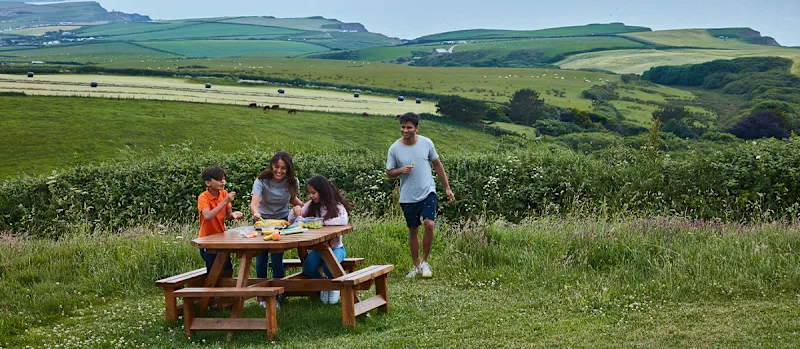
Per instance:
{"type": "Point", "coordinates": [415, 186]}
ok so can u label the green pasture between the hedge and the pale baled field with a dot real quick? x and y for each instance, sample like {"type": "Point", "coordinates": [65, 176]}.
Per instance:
{"type": "Point", "coordinates": [97, 129]}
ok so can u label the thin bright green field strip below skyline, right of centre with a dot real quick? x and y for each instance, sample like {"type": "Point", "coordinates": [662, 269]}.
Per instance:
{"type": "Point", "coordinates": [482, 34]}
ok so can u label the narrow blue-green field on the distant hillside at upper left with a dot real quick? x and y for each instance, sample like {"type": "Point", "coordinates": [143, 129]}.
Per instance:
{"type": "Point", "coordinates": [216, 48]}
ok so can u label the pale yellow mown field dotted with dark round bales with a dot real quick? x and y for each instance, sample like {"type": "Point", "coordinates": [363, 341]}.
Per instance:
{"type": "Point", "coordinates": [180, 90]}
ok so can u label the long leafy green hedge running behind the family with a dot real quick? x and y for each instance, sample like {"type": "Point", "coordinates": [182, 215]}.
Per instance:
{"type": "Point", "coordinates": [740, 181]}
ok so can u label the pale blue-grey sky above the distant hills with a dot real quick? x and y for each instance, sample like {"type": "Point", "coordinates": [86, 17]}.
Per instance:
{"type": "Point", "coordinates": [409, 19]}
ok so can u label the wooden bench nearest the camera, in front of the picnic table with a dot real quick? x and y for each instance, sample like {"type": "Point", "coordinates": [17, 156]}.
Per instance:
{"type": "Point", "coordinates": [191, 324]}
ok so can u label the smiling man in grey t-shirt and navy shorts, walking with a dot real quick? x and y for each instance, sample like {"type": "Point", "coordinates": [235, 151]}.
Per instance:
{"type": "Point", "coordinates": [410, 157]}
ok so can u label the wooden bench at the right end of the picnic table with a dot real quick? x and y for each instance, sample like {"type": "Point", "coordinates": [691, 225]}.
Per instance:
{"type": "Point", "coordinates": [352, 306]}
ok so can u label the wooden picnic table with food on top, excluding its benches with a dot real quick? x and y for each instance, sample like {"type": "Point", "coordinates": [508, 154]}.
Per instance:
{"type": "Point", "coordinates": [245, 249]}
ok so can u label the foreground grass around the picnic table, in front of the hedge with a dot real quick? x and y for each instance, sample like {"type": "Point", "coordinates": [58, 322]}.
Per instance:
{"type": "Point", "coordinates": [552, 282]}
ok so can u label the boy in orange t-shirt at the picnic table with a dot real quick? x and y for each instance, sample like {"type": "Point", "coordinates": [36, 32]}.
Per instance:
{"type": "Point", "coordinates": [214, 205]}
